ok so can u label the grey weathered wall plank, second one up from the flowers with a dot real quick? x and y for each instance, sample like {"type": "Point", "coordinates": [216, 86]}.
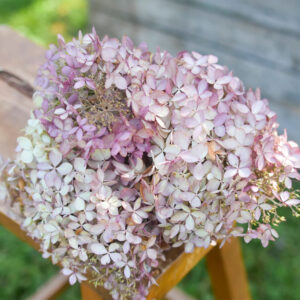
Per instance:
{"type": "Point", "coordinates": [231, 35]}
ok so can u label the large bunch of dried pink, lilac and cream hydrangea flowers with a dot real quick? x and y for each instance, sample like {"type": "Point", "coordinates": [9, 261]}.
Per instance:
{"type": "Point", "coordinates": [130, 153]}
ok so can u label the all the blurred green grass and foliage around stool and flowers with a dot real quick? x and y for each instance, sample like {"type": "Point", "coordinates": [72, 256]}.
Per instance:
{"type": "Point", "coordinates": [274, 272]}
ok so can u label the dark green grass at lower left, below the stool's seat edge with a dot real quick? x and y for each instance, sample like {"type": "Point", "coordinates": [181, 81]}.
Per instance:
{"type": "Point", "coordinates": [23, 270]}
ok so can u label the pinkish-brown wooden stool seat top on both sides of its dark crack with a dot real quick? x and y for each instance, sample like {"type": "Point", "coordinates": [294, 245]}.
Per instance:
{"type": "Point", "coordinates": [21, 57]}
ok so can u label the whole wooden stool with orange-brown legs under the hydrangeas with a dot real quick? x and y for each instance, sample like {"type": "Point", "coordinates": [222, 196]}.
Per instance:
{"type": "Point", "coordinates": [19, 61]}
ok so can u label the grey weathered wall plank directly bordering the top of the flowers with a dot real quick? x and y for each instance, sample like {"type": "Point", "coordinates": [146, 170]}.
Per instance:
{"type": "Point", "coordinates": [282, 89]}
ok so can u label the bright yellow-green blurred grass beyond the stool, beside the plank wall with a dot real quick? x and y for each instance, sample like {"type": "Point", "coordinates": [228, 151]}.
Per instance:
{"type": "Point", "coordinates": [42, 20]}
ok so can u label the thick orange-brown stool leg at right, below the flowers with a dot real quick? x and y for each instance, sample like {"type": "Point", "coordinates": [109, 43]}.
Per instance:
{"type": "Point", "coordinates": [227, 272]}
